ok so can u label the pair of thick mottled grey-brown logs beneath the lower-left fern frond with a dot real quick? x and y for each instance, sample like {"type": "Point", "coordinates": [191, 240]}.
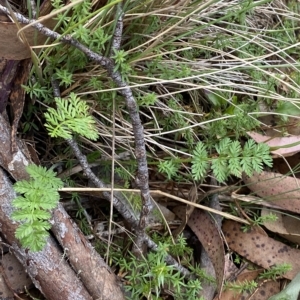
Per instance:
{"type": "Point", "coordinates": [47, 268]}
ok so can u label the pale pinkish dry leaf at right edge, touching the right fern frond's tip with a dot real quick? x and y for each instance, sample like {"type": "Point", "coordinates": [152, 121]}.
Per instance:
{"type": "Point", "coordinates": [278, 142]}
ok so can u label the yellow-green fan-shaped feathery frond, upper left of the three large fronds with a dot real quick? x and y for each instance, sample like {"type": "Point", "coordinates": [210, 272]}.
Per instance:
{"type": "Point", "coordinates": [71, 116]}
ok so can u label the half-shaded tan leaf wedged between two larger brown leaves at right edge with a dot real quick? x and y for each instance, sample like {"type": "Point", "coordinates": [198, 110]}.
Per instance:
{"type": "Point", "coordinates": [286, 226]}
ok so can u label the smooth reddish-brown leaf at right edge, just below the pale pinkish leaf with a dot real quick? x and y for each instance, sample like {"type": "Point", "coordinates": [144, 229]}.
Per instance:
{"type": "Point", "coordinates": [281, 190]}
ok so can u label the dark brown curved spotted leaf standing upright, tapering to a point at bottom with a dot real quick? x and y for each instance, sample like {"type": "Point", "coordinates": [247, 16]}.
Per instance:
{"type": "Point", "coordinates": [208, 234]}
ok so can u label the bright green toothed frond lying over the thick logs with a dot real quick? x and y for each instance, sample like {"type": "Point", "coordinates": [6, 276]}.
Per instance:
{"type": "Point", "coordinates": [39, 196]}
